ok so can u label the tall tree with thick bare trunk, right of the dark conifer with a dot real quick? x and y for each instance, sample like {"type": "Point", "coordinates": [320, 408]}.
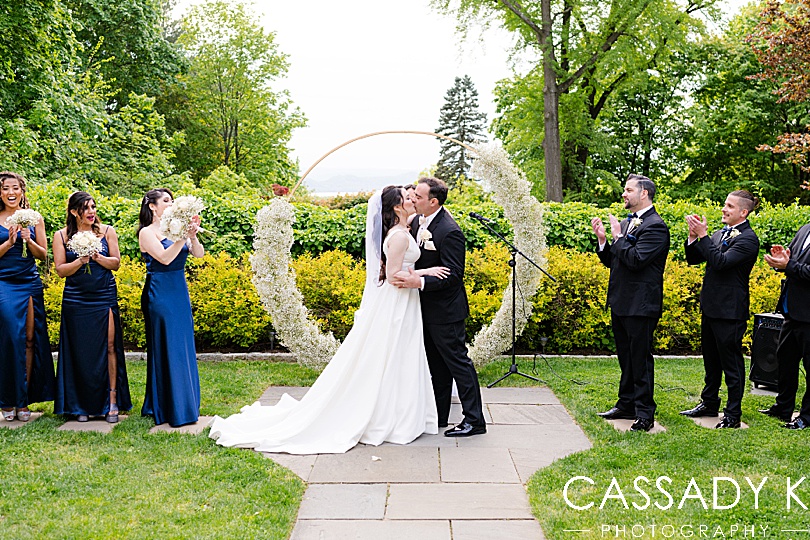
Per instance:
{"type": "Point", "coordinates": [589, 47]}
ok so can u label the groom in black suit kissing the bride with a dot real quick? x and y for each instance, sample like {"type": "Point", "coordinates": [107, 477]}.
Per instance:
{"type": "Point", "coordinates": [444, 307]}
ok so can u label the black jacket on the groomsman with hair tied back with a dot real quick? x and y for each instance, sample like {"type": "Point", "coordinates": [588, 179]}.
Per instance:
{"type": "Point", "coordinates": [728, 267]}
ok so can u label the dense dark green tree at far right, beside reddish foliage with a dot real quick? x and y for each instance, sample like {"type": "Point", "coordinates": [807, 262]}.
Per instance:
{"type": "Point", "coordinates": [730, 116]}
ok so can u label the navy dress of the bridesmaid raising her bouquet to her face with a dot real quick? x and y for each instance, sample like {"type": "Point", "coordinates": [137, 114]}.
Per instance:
{"type": "Point", "coordinates": [172, 381]}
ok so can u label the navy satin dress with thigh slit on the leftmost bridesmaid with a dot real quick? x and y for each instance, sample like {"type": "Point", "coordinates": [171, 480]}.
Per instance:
{"type": "Point", "coordinates": [19, 282]}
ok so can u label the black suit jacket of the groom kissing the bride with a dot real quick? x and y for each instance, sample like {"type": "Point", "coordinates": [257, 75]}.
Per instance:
{"type": "Point", "coordinates": [443, 300]}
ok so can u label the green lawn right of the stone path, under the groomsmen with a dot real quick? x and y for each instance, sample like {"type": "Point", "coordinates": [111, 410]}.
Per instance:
{"type": "Point", "coordinates": [684, 452]}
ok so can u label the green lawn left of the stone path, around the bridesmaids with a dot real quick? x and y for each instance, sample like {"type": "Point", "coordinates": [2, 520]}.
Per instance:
{"type": "Point", "coordinates": [130, 484]}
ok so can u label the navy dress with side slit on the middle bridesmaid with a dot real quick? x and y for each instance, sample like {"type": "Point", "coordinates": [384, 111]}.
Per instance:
{"type": "Point", "coordinates": [82, 375]}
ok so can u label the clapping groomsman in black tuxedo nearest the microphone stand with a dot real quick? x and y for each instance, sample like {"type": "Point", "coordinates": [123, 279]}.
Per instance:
{"type": "Point", "coordinates": [636, 257]}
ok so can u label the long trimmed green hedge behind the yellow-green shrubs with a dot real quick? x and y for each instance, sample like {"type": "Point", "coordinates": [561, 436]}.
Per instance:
{"type": "Point", "coordinates": [230, 216]}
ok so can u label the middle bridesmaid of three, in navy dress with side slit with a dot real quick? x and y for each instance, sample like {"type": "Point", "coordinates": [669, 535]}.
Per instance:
{"type": "Point", "coordinates": [91, 376]}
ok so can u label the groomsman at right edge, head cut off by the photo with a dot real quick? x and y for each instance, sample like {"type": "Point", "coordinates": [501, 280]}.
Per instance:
{"type": "Point", "coordinates": [794, 339]}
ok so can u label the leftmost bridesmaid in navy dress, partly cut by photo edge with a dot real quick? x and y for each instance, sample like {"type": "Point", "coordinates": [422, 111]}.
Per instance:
{"type": "Point", "coordinates": [26, 365]}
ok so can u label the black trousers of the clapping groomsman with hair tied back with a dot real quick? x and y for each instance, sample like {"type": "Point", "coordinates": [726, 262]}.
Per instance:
{"type": "Point", "coordinates": [721, 341]}
